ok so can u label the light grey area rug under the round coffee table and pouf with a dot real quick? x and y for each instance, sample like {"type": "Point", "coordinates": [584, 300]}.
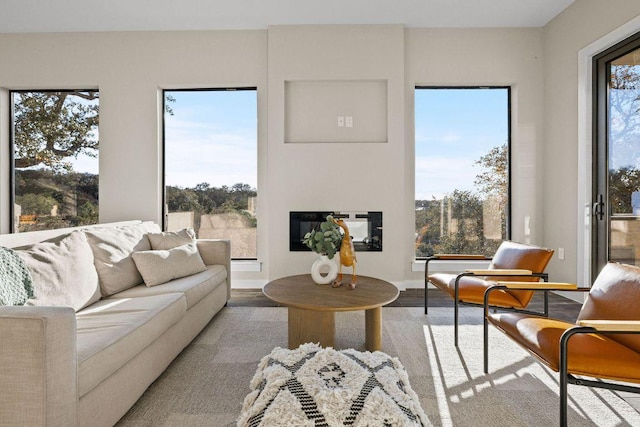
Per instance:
{"type": "Point", "coordinates": [207, 384]}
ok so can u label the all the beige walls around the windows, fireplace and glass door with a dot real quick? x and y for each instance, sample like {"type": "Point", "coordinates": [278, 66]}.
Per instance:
{"type": "Point", "coordinates": [130, 69]}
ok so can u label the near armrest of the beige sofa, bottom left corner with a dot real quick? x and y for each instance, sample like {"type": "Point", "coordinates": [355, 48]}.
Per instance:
{"type": "Point", "coordinates": [38, 373]}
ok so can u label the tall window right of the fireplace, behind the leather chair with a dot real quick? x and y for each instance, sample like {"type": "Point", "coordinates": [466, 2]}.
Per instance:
{"type": "Point", "coordinates": [462, 170]}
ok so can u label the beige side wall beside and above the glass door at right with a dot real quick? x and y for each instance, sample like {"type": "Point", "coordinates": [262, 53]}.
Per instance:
{"type": "Point", "coordinates": [584, 23]}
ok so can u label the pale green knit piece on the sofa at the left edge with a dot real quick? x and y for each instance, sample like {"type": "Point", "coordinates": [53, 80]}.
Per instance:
{"type": "Point", "coordinates": [16, 284]}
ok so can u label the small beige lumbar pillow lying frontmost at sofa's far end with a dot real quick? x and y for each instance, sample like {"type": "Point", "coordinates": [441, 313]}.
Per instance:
{"type": "Point", "coordinates": [157, 267]}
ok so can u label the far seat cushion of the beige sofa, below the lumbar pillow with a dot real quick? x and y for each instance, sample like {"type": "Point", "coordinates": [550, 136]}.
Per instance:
{"type": "Point", "coordinates": [194, 287]}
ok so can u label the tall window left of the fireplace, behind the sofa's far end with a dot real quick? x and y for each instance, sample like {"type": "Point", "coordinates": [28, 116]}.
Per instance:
{"type": "Point", "coordinates": [210, 165]}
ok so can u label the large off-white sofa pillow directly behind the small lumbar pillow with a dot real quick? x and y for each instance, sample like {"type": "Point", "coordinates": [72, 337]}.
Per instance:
{"type": "Point", "coordinates": [112, 248]}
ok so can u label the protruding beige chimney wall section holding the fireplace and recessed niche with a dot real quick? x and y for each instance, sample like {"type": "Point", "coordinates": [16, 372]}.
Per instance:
{"type": "Point", "coordinates": [353, 176]}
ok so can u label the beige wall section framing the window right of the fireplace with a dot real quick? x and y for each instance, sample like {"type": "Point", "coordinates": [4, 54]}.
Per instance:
{"type": "Point", "coordinates": [486, 57]}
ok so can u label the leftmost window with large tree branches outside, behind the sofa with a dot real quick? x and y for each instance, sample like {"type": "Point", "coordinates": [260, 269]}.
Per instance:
{"type": "Point", "coordinates": [54, 149]}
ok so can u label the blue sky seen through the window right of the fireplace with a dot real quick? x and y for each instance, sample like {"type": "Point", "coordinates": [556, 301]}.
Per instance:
{"type": "Point", "coordinates": [454, 128]}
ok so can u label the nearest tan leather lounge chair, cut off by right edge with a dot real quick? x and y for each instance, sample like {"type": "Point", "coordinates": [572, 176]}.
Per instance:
{"type": "Point", "coordinates": [603, 344]}
